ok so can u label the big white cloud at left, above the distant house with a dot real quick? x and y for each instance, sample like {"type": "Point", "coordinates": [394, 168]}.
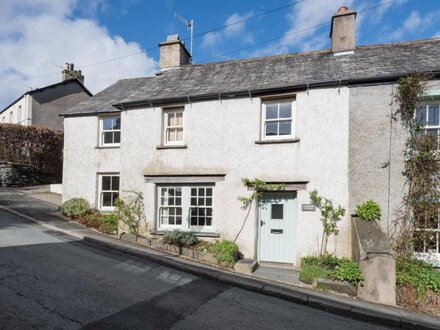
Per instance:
{"type": "Point", "coordinates": [36, 35]}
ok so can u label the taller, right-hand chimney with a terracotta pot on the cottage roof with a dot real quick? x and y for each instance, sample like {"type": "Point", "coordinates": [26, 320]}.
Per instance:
{"type": "Point", "coordinates": [343, 31]}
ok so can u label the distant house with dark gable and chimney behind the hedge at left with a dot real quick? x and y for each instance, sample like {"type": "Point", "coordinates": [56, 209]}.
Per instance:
{"type": "Point", "coordinates": [42, 106]}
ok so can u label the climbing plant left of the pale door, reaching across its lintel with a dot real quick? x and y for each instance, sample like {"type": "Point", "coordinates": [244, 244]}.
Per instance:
{"type": "Point", "coordinates": [258, 187]}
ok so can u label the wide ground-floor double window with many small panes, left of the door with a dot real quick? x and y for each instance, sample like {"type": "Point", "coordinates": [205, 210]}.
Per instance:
{"type": "Point", "coordinates": [185, 207]}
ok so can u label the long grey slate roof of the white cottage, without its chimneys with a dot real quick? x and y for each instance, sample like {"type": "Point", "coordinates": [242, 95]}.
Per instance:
{"type": "Point", "coordinates": [290, 71]}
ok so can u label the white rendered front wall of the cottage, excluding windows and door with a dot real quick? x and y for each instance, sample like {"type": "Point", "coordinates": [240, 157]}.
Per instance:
{"type": "Point", "coordinates": [220, 138]}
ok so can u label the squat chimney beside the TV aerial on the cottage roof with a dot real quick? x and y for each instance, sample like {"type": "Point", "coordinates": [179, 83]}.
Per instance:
{"type": "Point", "coordinates": [173, 53]}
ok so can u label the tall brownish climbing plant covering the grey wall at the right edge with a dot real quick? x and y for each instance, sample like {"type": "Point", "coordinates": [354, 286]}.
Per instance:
{"type": "Point", "coordinates": [422, 168]}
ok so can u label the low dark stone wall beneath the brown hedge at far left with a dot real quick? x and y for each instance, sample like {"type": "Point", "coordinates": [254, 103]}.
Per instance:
{"type": "Point", "coordinates": [21, 175]}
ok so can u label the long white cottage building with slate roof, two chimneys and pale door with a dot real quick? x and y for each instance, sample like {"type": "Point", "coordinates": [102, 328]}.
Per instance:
{"type": "Point", "coordinates": [186, 136]}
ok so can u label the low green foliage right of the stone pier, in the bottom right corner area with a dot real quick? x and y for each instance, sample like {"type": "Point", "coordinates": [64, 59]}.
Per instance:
{"type": "Point", "coordinates": [420, 275]}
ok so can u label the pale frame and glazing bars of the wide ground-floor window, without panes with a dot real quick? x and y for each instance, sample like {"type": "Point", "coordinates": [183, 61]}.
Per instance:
{"type": "Point", "coordinates": [186, 208]}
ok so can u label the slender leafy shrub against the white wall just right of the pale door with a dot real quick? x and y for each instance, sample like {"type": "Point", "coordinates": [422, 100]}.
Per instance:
{"type": "Point", "coordinates": [330, 216]}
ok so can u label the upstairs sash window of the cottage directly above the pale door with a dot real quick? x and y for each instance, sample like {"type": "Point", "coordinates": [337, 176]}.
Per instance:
{"type": "Point", "coordinates": [277, 120]}
